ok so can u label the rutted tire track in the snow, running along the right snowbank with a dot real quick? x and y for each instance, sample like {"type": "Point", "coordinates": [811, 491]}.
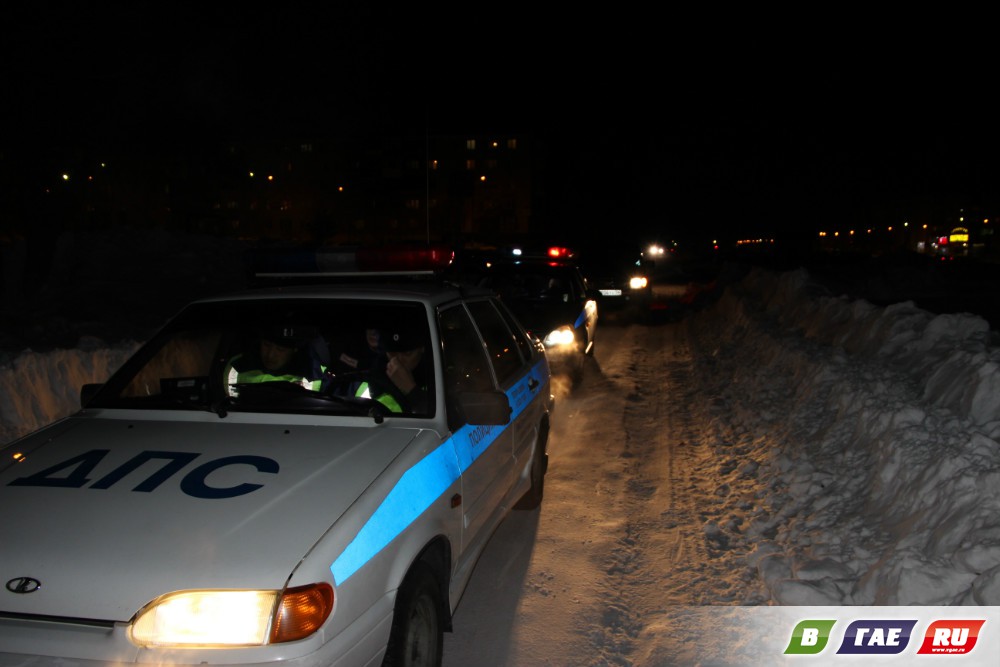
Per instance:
{"type": "Point", "coordinates": [658, 557]}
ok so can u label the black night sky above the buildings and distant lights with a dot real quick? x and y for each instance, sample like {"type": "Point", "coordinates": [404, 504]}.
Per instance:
{"type": "Point", "coordinates": [668, 123]}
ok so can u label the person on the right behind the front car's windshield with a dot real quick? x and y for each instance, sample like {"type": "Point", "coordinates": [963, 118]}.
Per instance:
{"type": "Point", "coordinates": [400, 376]}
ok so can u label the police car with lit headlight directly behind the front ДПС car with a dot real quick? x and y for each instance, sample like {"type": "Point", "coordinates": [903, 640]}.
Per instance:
{"type": "Point", "coordinates": [550, 296]}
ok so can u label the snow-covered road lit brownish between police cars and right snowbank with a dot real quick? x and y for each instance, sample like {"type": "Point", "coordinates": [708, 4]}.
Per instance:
{"type": "Point", "coordinates": [598, 594]}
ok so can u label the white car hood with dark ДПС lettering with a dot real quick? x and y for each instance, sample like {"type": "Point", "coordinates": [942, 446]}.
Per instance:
{"type": "Point", "coordinates": [108, 515]}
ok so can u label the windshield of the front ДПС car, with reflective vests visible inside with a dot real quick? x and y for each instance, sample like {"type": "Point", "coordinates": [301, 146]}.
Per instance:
{"type": "Point", "coordinates": [337, 356]}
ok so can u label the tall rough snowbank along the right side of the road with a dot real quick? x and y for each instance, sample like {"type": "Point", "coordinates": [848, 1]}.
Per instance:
{"type": "Point", "coordinates": [869, 436]}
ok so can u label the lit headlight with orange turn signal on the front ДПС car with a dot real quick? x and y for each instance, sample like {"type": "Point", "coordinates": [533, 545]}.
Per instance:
{"type": "Point", "coordinates": [205, 619]}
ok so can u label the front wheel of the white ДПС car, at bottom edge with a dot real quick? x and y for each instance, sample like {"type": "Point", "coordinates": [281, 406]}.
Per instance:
{"type": "Point", "coordinates": [417, 635]}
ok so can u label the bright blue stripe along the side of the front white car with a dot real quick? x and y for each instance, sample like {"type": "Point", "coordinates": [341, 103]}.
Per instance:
{"type": "Point", "coordinates": [422, 484]}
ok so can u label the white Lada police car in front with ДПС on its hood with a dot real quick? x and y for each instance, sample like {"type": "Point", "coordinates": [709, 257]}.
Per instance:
{"type": "Point", "coordinates": [193, 514]}
